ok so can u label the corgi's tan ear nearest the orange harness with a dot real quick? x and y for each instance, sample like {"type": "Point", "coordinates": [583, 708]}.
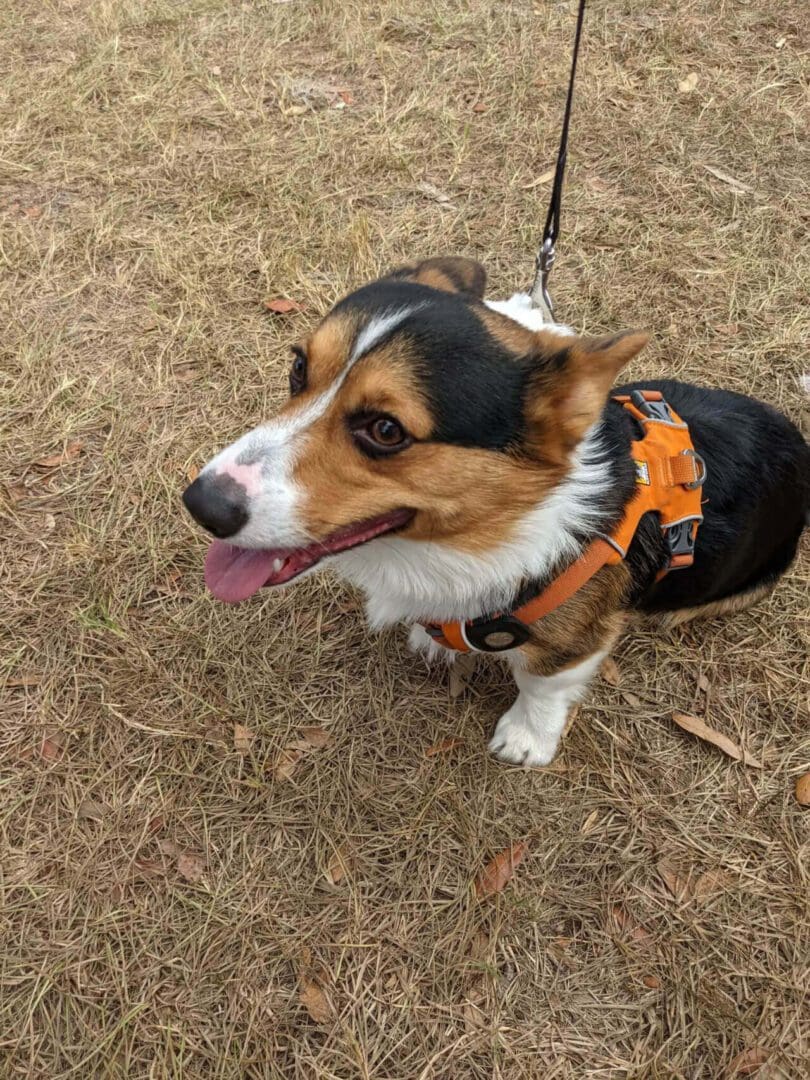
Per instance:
{"type": "Point", "coordinates": [570, 383]}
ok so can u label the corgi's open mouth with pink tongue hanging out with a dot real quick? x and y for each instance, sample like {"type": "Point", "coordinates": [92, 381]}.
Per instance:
{"type": "Point", "coordinates": [234, 574]}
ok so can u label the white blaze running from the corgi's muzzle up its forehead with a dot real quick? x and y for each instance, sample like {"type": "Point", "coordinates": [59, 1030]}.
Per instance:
{"type": "Point", "coordinates": [264, 461]}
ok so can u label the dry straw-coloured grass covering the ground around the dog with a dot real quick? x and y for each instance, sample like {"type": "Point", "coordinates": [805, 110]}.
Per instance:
{"type": "Point", "coordinates": [160, 179]}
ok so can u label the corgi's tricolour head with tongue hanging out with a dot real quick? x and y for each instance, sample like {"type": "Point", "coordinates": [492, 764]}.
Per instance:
{"type": "Point", "coordinates": [416, 409]}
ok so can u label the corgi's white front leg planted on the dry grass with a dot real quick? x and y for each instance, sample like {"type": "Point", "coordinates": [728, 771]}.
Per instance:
{"type": "Point", "coordinates": [529, 733]}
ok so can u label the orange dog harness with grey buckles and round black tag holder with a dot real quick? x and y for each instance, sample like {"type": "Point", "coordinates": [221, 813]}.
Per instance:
{"type": "Point", "coordinates": [670, 475]}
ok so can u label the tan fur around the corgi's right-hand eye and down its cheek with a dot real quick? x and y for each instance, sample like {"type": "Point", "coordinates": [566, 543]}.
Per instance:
{"type": "Point", "coordinates": [471, 498]}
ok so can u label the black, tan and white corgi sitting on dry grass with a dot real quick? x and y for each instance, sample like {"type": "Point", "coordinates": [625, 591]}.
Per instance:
{"type": "Point", "coordinates": [452, 456]}
